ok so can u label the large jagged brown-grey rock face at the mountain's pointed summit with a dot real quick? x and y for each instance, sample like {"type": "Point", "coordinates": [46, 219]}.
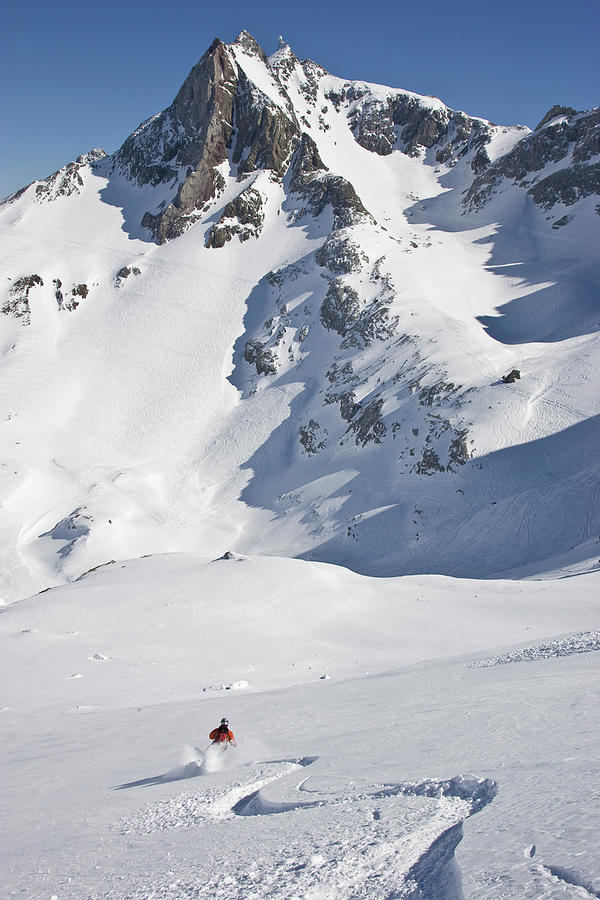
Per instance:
{"type": "Point", "coordinates": [184, 145]}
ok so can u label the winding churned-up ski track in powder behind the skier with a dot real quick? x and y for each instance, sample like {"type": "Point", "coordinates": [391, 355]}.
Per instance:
{"type": "Point", "coordinates": [376, 841]}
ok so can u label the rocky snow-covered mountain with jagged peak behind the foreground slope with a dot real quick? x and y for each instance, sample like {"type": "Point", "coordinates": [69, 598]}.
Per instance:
{"type": "Point", "coordinates": [279, 319]}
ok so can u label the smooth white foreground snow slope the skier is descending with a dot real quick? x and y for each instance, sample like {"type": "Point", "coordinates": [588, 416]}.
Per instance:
{"type": "Point", "coordinates": [407, 772]}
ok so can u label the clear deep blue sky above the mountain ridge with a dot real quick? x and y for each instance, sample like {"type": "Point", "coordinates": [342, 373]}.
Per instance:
{"type": "Point", "coordinates": [77, 75]}
